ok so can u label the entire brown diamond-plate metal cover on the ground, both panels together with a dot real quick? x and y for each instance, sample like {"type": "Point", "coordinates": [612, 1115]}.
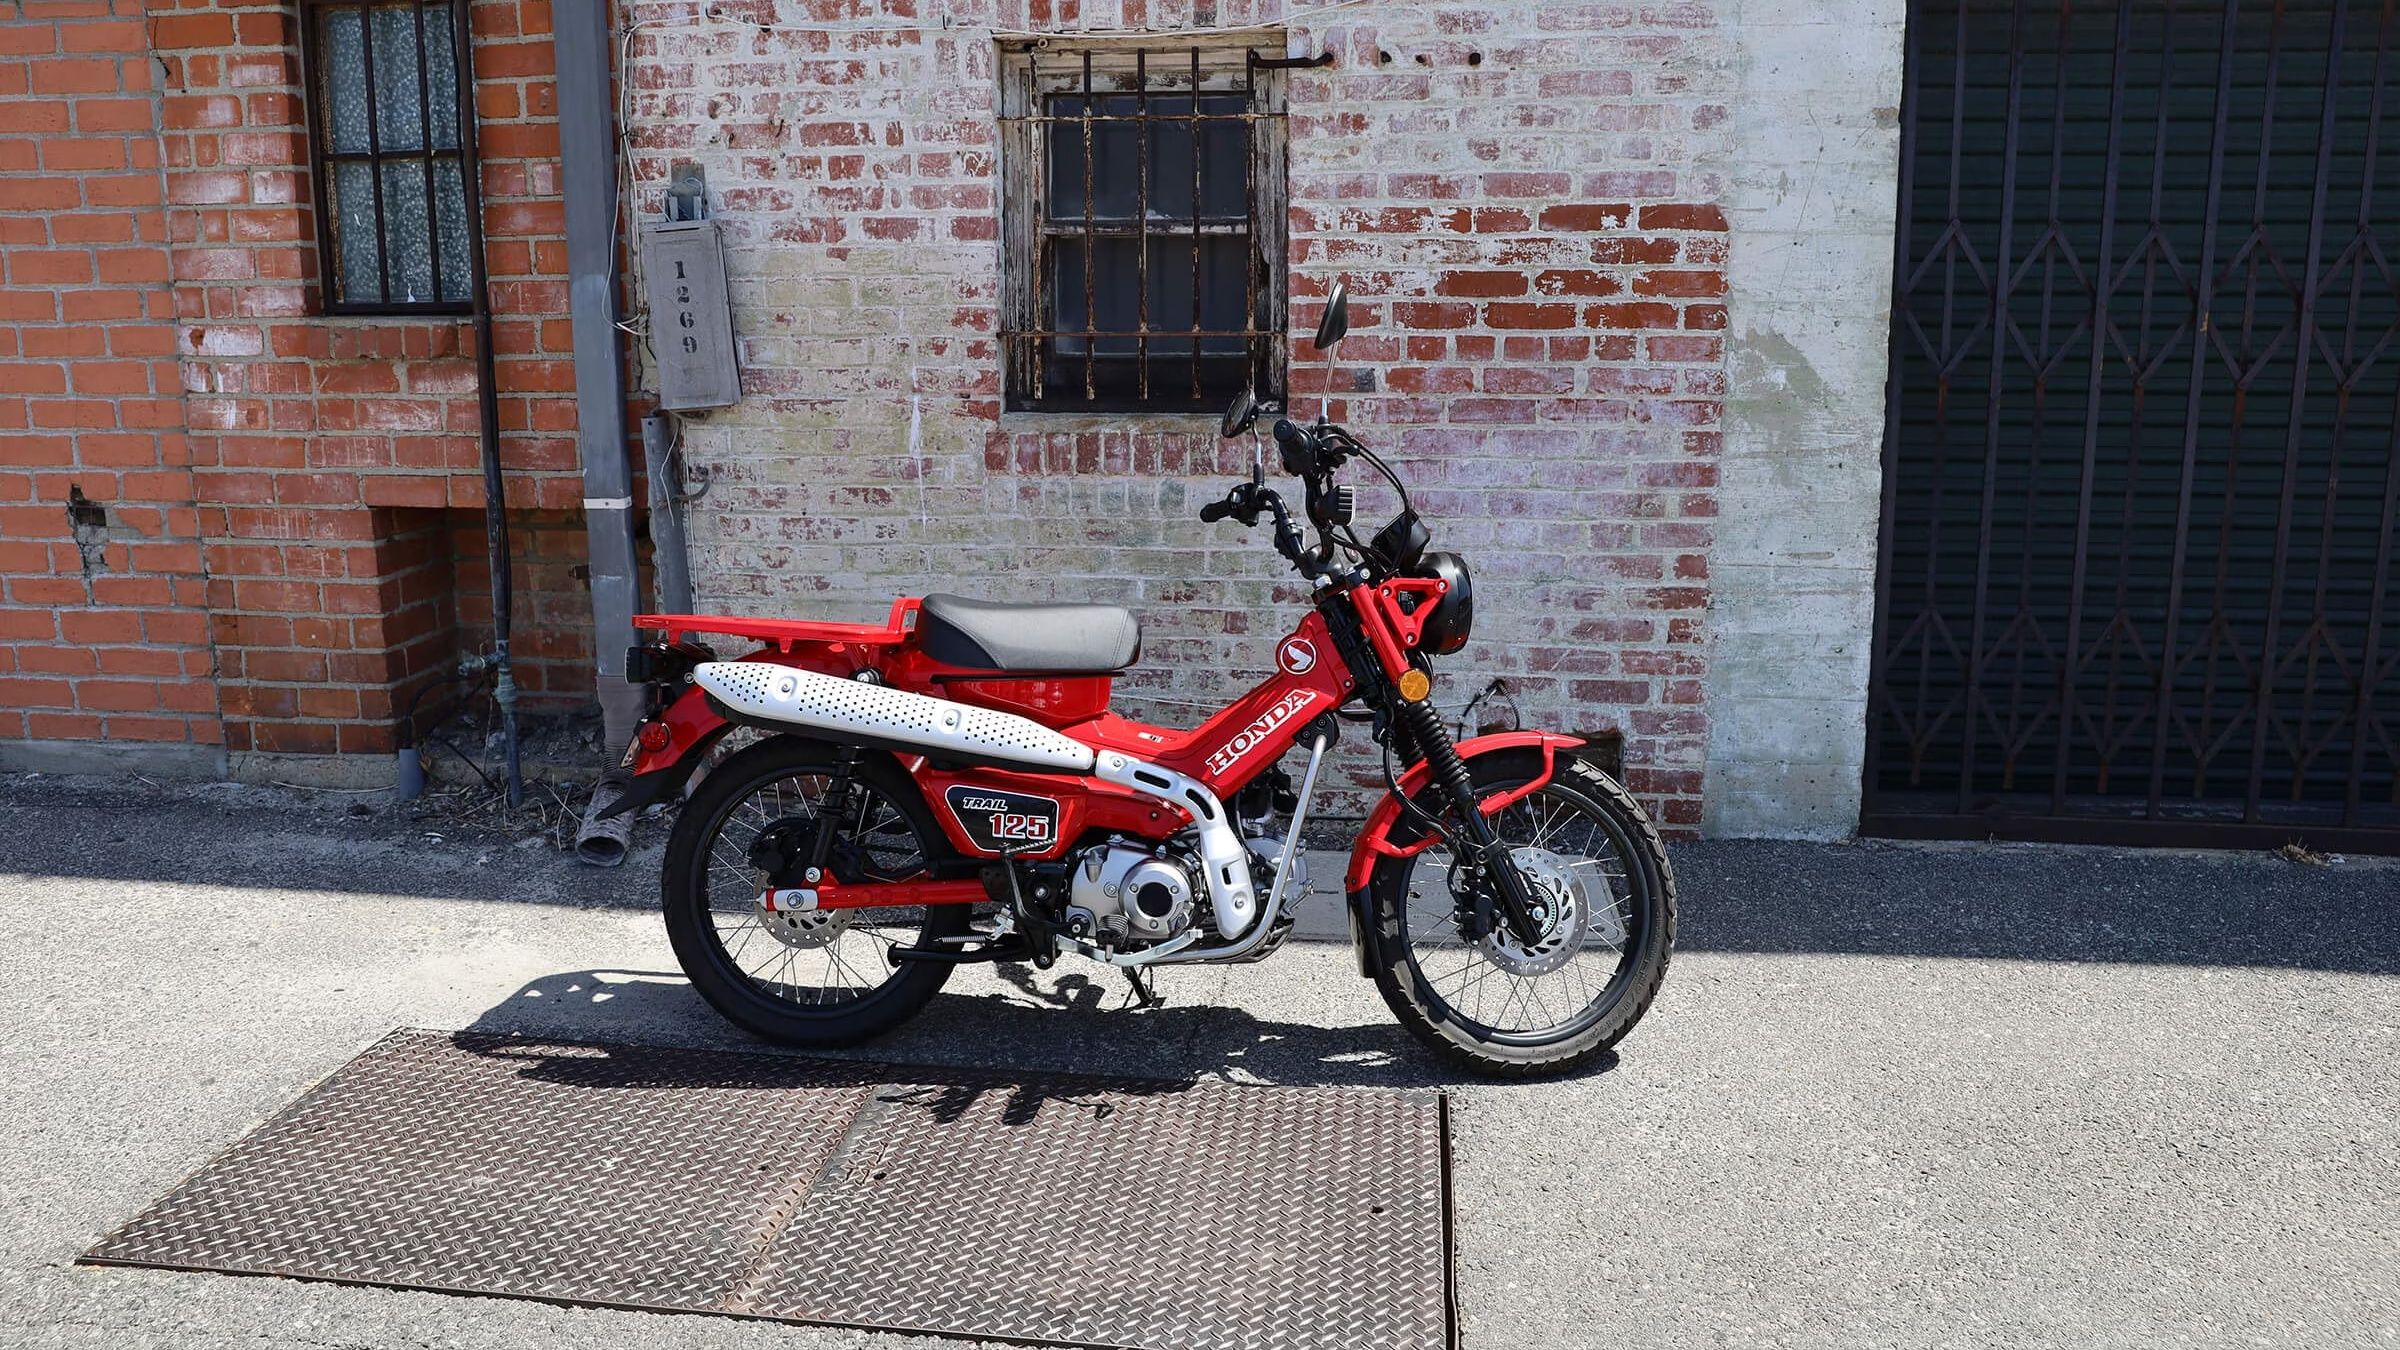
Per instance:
{"type": "Point", "coordinates": [1019, 1207]}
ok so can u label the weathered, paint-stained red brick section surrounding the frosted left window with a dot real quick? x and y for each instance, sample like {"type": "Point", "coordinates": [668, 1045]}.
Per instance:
{"type": "Point", "coordinates": [335, 458]}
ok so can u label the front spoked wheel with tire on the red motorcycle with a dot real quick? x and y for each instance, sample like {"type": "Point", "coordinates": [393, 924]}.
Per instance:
{"type": "Point", "coordinates": [1604, 902]}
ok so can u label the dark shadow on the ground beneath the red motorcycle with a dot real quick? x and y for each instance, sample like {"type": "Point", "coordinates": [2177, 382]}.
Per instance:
{"type": "Point", "coordinates": [1014, 1025]}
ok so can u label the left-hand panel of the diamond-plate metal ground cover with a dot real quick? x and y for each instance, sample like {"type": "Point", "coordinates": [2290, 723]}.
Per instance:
{"type": "Point", "coordinates": [486, 1164]}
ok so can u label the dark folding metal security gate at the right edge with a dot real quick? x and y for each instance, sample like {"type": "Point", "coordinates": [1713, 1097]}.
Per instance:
{"type": "Point", "coordinates": [2140, 465]}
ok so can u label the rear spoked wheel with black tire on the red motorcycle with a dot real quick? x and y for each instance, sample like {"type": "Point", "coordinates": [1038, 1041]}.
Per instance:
{"type": "Point", "coordinates": [800, 979]}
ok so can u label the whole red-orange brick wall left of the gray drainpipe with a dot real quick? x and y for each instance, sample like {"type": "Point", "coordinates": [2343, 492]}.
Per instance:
{"type": "Point", "coordinates": [282, 501]}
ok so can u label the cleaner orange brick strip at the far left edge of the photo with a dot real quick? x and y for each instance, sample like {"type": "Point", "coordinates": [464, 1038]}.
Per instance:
{"type": "Point", "coordinates": [102, 597]}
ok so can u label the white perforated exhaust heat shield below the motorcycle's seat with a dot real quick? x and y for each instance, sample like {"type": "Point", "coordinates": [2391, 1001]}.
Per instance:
{"type": "Point", "coordinates": [894, 717]}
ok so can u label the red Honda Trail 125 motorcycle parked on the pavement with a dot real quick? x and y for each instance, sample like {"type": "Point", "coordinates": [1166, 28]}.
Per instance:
{"type": "Point", "coordinates": [952, 787]}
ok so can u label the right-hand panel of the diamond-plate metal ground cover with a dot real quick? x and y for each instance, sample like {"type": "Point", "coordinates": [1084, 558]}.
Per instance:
{"type": "Point", "coordinates": [1206, 1219]}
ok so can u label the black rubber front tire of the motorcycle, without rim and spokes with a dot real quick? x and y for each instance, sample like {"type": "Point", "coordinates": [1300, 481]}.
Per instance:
{"type": "Point", "coordinates": [1580, 1041]}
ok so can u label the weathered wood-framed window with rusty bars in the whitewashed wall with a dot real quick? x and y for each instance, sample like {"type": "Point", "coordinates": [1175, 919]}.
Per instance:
{"type": "Point", "coordinates": [1144, 225]}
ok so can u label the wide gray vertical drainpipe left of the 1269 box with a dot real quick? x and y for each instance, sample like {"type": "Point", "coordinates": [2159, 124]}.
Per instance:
{"type": "Point", "coordinates": [589, 169]}
